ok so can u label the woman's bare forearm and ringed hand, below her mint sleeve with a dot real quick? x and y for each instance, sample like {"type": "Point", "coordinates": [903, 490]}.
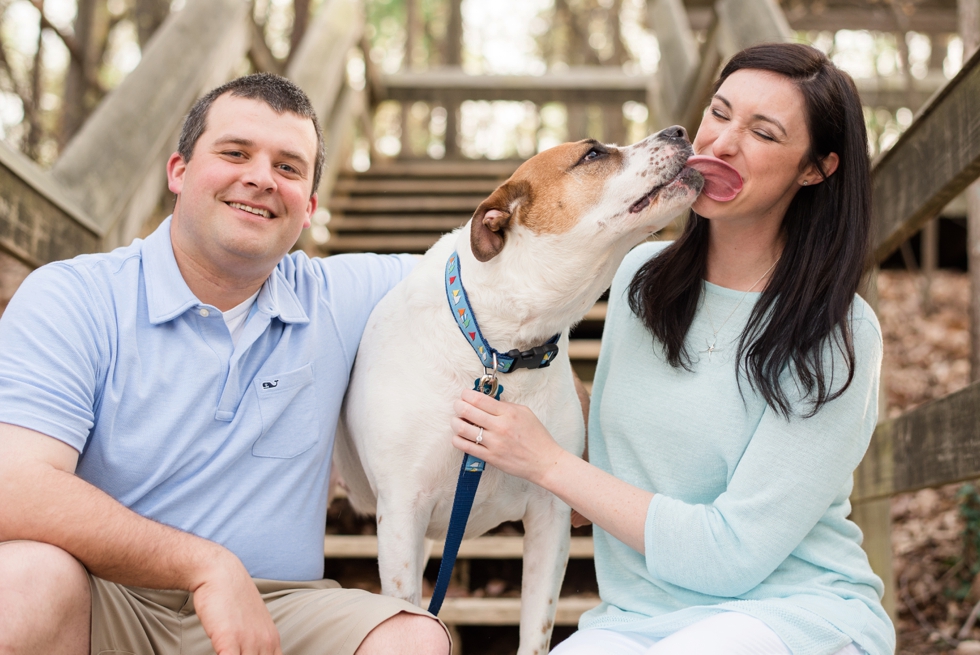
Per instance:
{"type": "Point", "coordinates": [516, 442]}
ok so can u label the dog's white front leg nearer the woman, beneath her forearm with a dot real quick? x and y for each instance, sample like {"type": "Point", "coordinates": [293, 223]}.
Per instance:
{"type": "Point", "coordinates": [547, 526]}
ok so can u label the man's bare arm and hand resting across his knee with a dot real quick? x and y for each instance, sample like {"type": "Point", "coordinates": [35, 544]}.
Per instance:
{"type": "Point", "coordinates": [44, 501]}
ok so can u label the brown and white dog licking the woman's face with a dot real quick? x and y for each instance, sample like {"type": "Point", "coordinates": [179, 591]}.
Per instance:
{"type": "Point", "coordinates": [534, 258]}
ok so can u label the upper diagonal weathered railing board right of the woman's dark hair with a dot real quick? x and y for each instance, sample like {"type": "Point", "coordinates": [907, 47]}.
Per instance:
{"type": "Point", "coordinates": [933, 161]}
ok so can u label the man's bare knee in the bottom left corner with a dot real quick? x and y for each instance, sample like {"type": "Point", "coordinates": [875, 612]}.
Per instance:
{"type": "Point", "coordinates": [44, 596]}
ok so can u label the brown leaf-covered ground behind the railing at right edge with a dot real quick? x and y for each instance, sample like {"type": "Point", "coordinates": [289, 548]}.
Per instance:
{"type": "Point", "coordinates": [935, 531]}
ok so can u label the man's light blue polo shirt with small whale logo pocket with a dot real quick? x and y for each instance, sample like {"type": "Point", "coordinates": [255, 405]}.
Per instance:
{"type": "Point", "coordinates": [113, 355]}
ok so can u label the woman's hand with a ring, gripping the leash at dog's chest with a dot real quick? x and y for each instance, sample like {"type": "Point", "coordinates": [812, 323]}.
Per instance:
{"type": "Point", "coordinates": [512, 438]}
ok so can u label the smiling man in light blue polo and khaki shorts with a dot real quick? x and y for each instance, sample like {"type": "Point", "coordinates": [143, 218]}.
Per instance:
{"type": "Point", "coordinates": [167, 413]}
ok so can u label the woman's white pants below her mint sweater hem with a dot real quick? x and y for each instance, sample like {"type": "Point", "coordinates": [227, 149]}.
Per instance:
{"type": "Point", "coordinates": [725, 633]}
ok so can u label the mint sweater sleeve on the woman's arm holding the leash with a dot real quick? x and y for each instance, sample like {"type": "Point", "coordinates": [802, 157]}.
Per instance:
{"type": "Point", "coordinates": [791, 473]}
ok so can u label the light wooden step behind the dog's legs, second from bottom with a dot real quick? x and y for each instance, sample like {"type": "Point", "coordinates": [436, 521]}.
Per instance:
{"type": "Point", "coordinates": [492, 547]}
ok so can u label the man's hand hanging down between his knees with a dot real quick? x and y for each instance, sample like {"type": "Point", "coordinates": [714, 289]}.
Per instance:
{"type": "Point", "coordinates": [232, 612]}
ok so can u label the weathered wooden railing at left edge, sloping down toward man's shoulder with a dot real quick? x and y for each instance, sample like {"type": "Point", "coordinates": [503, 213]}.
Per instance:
{"type": "Point", "coordinates": [38, 223]}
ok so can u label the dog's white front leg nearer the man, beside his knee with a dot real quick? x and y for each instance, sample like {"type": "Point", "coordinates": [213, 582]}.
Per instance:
{"type": "Point", "coordinates": [401, 545]}
